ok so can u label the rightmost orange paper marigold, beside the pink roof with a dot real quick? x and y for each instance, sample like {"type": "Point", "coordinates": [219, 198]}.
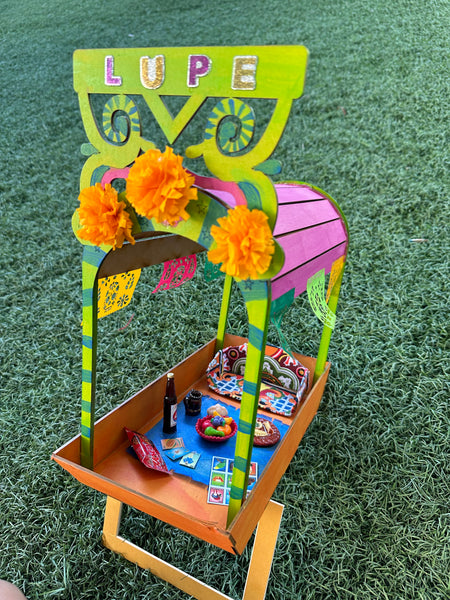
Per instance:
{"type": "Point", "coordinates": [244, 243]}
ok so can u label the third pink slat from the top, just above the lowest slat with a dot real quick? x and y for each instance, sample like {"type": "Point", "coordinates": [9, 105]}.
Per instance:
{"type": "Point", "coordinates": [302, 246]}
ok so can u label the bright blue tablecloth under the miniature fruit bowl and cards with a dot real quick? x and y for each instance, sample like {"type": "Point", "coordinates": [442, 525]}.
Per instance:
{"type": "Point", "coordinates": [192, 441]}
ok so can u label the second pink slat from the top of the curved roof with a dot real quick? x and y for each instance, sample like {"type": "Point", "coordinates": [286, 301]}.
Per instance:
{"type": "Point", "coordinates": [298, 216]}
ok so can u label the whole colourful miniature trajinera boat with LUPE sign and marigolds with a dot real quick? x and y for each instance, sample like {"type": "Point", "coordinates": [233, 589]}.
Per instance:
{"type": "Point", "coordinates": [274, 241]}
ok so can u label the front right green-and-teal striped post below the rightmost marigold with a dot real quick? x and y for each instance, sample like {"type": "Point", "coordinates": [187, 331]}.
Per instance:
{"type": "Point", "coordinates": [257, 298]}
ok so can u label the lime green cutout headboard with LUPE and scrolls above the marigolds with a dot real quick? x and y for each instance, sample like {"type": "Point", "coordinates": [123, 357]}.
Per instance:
{"type": "Point", "coordinates": [226, 73]}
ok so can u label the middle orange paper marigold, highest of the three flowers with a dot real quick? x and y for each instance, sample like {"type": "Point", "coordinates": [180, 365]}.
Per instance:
{"type": "Point", "coordinates": [159, 187]}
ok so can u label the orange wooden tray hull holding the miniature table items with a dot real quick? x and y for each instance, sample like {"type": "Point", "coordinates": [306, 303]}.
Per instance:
{"type": "Point", "coordinates": [178, 500]}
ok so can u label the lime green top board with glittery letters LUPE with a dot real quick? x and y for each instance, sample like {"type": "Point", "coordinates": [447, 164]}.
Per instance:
{"type": "Point", "coordinates": [205, 70]}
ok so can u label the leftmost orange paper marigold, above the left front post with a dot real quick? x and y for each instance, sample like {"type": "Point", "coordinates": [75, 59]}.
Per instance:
{"type": "Point", "coordinates": [103, 219]}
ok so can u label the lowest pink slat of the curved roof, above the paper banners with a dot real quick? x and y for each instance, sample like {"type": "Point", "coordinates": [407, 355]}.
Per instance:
{"type": "Point", "coordinates": [298, 278]}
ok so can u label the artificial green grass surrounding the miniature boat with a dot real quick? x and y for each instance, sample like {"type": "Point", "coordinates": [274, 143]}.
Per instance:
{"type": "Point", "coordinates": [367, 509]}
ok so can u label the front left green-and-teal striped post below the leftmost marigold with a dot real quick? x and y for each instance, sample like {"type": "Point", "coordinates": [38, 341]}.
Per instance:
{"type": "Point", "coordinates": [92, 258]}
